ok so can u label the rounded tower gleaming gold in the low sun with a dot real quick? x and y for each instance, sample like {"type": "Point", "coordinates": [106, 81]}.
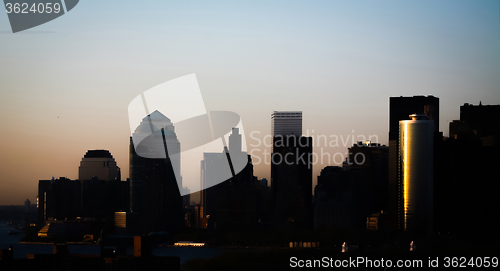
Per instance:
{"type": "Point", "coordinates": [416, 163]}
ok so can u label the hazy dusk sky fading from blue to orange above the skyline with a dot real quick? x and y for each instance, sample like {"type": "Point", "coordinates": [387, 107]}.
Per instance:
{"type": "Point", "coordinates": [65, 85]}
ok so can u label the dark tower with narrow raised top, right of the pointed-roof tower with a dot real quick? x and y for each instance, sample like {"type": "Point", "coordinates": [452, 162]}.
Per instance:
{"type": "Point", "coordinates": [234, 202]}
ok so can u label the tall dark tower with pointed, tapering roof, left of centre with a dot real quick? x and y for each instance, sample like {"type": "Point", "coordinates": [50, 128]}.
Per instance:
{"type": "Point", "coordinates": [154, 192]}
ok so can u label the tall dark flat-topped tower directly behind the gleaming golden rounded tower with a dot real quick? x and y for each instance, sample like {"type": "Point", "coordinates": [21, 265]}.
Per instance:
{"type": "Point", "coordinates": [400, 108]}
